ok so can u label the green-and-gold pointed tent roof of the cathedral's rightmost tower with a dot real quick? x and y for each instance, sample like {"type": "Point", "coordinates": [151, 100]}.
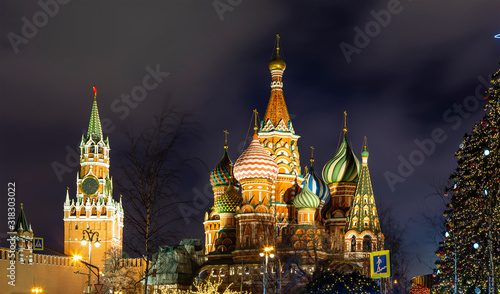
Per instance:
{"type": "Point", "coordinates": [363, 206]}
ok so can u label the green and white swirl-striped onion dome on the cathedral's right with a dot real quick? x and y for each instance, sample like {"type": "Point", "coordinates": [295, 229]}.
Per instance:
{"type": "Point", "coordinates": [343, 167]}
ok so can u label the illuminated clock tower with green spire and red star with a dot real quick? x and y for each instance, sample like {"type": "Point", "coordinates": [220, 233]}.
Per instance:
{"type": "Point", "coordinates": [93, 208]}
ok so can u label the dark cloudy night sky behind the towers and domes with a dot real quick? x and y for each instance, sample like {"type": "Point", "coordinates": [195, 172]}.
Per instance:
{"type": "Point", "coordinates": [415, 70]}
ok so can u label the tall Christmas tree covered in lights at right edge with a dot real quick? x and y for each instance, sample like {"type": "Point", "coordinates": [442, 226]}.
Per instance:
{"type": "Point", "coordinates": [470, 252]}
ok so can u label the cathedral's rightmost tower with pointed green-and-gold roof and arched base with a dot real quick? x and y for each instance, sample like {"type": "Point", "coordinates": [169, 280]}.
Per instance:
{"type": "Point", "coordinates": [363, 233]}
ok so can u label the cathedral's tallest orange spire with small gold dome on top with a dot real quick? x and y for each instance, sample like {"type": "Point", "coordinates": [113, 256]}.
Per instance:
{"type": "Point", "coordinates": [277, 112]}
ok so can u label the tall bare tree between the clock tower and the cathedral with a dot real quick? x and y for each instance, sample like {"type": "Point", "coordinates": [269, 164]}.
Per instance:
{"type": "Point", "coordinates": [156, 161]}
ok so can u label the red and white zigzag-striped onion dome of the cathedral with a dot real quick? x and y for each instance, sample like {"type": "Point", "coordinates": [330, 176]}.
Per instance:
{"type": "Point", "coordinates": [255, 163]}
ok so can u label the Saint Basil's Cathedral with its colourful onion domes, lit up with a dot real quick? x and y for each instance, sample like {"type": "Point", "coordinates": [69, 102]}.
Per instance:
{"type": "Point", "coordinates": [264, 203]}
